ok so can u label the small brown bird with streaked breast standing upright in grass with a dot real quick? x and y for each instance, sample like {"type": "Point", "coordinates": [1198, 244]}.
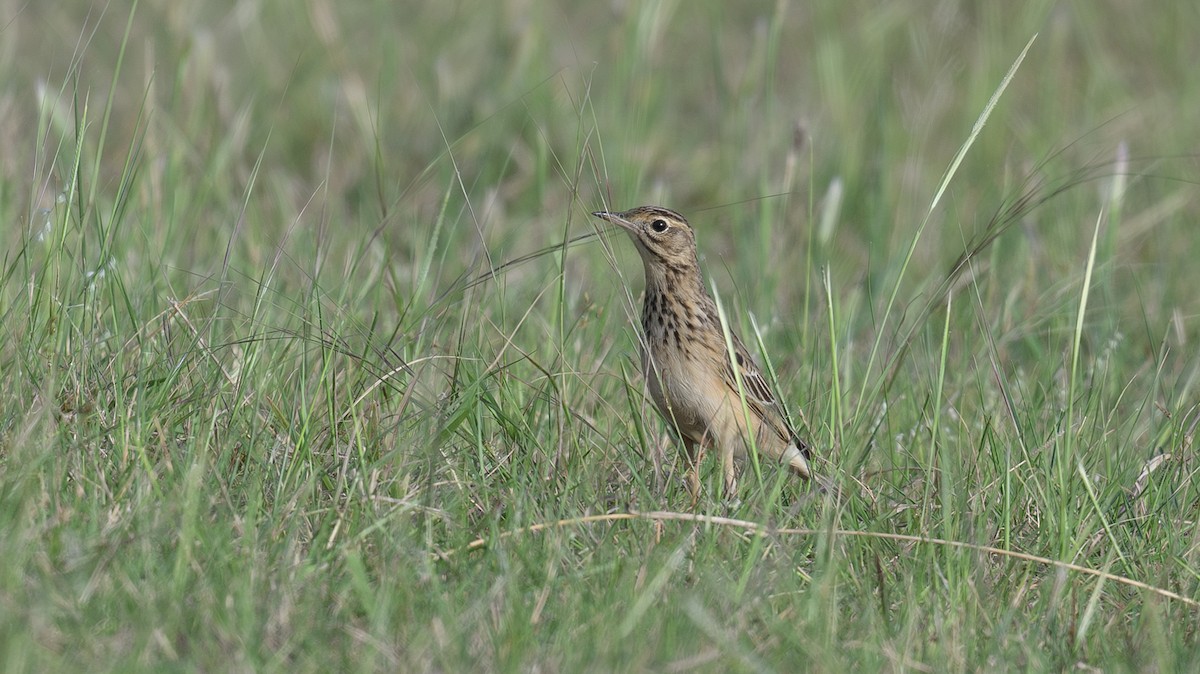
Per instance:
{"type": "Point", "coordinates": [692, 374]}
